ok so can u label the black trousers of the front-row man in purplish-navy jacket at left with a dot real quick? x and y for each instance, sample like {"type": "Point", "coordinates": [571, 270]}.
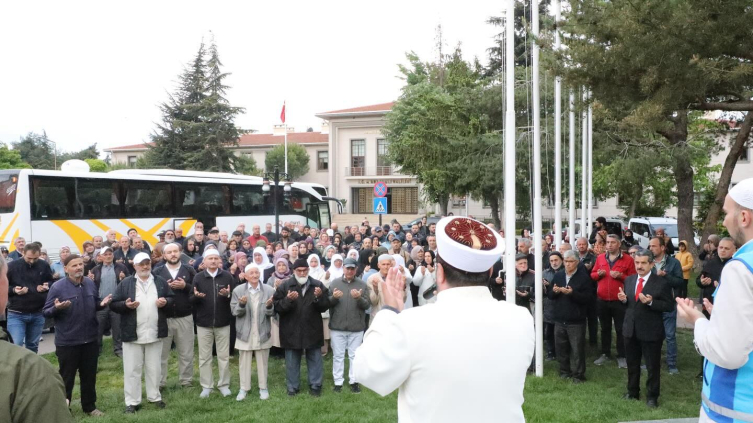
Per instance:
{"type": "Point", "coordinates": [81, 359]}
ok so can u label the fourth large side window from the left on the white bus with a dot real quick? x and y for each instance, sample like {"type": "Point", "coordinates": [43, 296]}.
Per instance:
{"type": "Point", "coordinates": [201, 199]}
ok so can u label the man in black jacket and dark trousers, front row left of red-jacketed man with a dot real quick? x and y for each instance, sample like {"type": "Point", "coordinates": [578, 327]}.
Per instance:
{"type": "Point", "coordinates": [570, 294]}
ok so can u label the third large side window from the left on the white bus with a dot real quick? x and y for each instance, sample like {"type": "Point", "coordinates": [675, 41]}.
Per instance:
{"type": "Point", "coordinates": [147, 199]}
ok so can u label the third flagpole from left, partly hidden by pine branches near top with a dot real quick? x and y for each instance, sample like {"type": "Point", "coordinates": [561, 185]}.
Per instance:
{"type": "Point", "coordinates": [557, 139]}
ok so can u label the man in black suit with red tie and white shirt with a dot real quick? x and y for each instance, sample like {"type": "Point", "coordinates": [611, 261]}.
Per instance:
{"type": "Point", "coordinates": [647, 296]}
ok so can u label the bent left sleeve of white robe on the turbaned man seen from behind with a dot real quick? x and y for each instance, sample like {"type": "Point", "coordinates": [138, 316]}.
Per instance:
{"type": "Point", "coordinates": [383, 361]}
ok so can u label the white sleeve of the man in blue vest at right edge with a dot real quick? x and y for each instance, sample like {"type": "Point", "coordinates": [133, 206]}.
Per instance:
{"type": "Point", "coordinates": [725, 340]}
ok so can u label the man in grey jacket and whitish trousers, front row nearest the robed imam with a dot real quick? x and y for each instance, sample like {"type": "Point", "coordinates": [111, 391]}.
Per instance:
{"type": "Point", "coordinates": [347, 321]}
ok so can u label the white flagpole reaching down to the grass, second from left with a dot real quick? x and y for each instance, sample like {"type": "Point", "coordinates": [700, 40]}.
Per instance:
{"type": "Point", "coordinates": [537, 226]}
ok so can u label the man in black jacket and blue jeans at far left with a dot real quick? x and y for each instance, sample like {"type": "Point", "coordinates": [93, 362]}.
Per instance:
{"type": "Point", "coordinates": [29, 279]}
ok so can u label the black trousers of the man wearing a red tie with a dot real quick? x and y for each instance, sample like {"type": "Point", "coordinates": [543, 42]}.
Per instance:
{"type": "Point", "coordinates": [650, 351]}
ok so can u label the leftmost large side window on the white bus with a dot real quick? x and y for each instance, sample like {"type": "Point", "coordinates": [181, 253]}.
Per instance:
{"type": "Point", "coordinates": [52, 198]}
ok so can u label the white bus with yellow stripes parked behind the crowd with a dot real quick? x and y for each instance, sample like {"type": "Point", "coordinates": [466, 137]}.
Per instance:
{"type": "Point", "coordinates": [59, 208]}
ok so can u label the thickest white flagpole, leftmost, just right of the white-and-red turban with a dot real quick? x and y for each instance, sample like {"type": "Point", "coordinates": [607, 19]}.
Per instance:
{"type": "Point", "coordinates": [510, 151]}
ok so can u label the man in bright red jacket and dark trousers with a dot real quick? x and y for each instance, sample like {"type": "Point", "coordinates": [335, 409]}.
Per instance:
{"type": "Point", "coordinates": [609, 272]}
